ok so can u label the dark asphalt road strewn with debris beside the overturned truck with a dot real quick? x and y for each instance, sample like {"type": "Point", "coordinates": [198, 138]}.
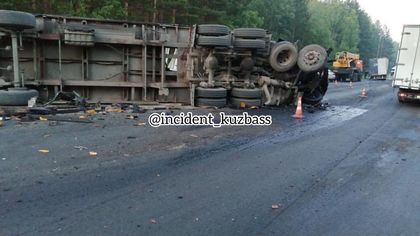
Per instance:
{"type": "Point", "coordinates": [352, 169]}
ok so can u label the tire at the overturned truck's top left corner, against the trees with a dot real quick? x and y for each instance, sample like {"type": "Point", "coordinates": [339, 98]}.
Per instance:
{"type": "Point", "coordinates": [16, 20]}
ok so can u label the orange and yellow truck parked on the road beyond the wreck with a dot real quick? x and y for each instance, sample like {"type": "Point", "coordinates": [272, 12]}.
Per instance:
{"type": "Point", "coordinates": [347, 66]}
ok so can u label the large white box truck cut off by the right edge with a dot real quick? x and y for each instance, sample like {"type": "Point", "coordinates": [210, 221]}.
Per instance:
{"type": "Point", "coordinates": [407, 73]}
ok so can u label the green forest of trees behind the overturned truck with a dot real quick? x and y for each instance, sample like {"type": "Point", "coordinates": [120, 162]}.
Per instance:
{"type": "Point", "coordinates": [339, 24]}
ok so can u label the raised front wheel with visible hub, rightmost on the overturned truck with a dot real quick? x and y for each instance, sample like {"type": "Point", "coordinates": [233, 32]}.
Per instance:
{"type": "Point", "coordinates": [312, 58]}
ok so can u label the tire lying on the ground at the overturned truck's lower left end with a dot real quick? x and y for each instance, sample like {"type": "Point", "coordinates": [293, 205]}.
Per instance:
{"type": "Point", "coordinates": [16, 96]}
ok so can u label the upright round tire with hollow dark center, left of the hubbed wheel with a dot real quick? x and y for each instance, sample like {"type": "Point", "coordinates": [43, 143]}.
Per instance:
{"type": "Point", "coordinates": [283, 56]}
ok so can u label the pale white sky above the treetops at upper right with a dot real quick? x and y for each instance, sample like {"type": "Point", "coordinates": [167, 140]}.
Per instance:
{"type": "Point", "coordinates": [394, 14]}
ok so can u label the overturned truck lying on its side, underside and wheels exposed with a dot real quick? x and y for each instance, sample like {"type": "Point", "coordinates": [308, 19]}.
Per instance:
{"type": "Point", "coordinates": [113, 61]}
